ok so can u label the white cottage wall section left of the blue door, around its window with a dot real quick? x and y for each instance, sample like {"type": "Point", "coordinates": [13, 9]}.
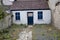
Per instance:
{"type": "Point", "coordinates": [23, 19]}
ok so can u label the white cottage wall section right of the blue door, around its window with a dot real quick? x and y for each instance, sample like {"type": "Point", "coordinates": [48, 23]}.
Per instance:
{"type": "Point", "coordinates": [46, 17]}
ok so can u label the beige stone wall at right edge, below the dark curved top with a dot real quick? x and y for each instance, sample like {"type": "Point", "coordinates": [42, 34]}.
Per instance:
{"type": "Point", "coordinates": [56, 17]}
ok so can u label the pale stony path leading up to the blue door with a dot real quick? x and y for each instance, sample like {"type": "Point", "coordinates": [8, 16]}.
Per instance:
{"type": "Point", "coordinates": [26, 34]}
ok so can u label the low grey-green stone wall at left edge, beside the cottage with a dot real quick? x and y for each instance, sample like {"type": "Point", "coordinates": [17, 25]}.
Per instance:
{"type": "Point", "coordinates": [6, 22]}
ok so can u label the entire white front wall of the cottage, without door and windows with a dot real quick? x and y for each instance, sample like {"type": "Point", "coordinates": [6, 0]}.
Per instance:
{"type": "Point", "coordinates": [23, 16]}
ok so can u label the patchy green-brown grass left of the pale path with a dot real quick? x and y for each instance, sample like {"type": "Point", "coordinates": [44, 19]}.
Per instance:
{"type": "Point", "coordinates": [12, 32]}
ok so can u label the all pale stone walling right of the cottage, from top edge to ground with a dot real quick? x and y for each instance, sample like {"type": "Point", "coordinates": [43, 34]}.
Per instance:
{"type": "Point", "coordinates": [55, 12]}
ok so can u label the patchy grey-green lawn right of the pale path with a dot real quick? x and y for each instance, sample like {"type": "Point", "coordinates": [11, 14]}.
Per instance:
{"type": "Point", "coordinates": [45, 32]}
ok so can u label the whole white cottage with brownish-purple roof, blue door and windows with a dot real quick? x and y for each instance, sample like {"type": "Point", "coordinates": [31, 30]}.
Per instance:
{"type": "Point", "coordinates": [31, 12]}
